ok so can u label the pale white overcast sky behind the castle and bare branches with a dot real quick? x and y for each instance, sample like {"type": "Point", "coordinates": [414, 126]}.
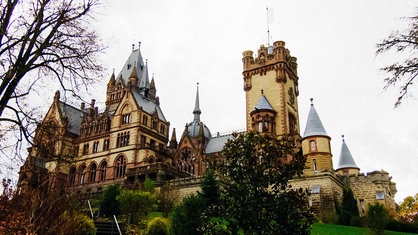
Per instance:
{"type": "Point", "coordinates": [190, 41]}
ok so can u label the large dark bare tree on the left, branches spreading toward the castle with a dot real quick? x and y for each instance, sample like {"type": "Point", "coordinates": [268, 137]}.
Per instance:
{"type": "Point", "coordinates": [44, 42]}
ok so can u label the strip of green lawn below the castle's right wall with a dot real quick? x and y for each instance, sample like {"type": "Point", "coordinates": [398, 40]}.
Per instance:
{"type": "Point", "coordinates": [332, 229]}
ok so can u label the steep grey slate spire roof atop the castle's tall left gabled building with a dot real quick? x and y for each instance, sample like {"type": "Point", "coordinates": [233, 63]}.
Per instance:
{"type": "Point", "coordinates": [134, 60]}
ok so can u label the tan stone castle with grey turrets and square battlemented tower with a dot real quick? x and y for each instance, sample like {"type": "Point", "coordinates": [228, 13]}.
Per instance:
{"type": "Point", "coordinates": [82, 150]}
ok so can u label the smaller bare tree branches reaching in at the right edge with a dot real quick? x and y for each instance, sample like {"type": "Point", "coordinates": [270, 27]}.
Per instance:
{"type": "Point", "coordinates": [406, 71]}
